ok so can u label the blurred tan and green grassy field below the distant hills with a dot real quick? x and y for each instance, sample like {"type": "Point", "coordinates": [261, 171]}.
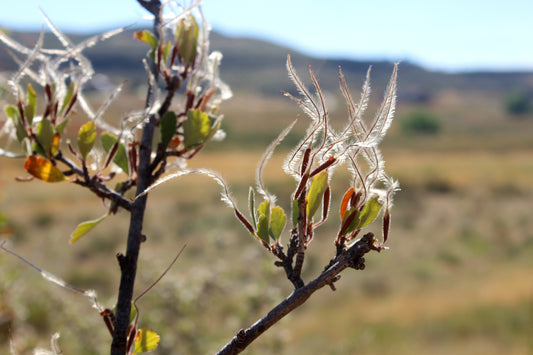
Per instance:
{"type": "Point", "coordinates": [456, 280]}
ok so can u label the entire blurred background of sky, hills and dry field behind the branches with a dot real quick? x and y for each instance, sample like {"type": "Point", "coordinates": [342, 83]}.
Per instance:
{"type": "Point", "coordinates": [457, 278]}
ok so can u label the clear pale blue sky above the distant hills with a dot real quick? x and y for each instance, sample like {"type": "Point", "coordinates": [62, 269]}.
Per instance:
{"type": "Point", "coordinates": [452, 35]}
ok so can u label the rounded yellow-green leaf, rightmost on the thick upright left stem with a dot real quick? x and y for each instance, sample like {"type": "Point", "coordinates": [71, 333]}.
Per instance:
{"type": "Point", "coordinates": [198, 128]}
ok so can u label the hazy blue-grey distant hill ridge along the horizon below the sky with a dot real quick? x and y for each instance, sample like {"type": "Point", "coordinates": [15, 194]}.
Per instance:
{"type": "Point", "coordinates": [259, 67]}
